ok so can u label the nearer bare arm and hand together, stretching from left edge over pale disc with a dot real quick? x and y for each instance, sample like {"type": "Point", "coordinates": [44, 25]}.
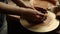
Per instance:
{"type": "Point", "coordinates": [7, 9]}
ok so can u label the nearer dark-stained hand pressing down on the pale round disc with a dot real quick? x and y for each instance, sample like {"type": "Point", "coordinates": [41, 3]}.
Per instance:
{"type": "Point", "coordinates": [33, 16]}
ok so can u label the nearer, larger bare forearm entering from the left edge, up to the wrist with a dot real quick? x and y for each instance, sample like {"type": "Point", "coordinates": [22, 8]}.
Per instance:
{"type": "Point", "coordinates": [8, 9]}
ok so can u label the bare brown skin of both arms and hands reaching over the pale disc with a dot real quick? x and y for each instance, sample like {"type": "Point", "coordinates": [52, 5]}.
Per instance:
{"type": "Point", "coordinates": [23, 10]}
